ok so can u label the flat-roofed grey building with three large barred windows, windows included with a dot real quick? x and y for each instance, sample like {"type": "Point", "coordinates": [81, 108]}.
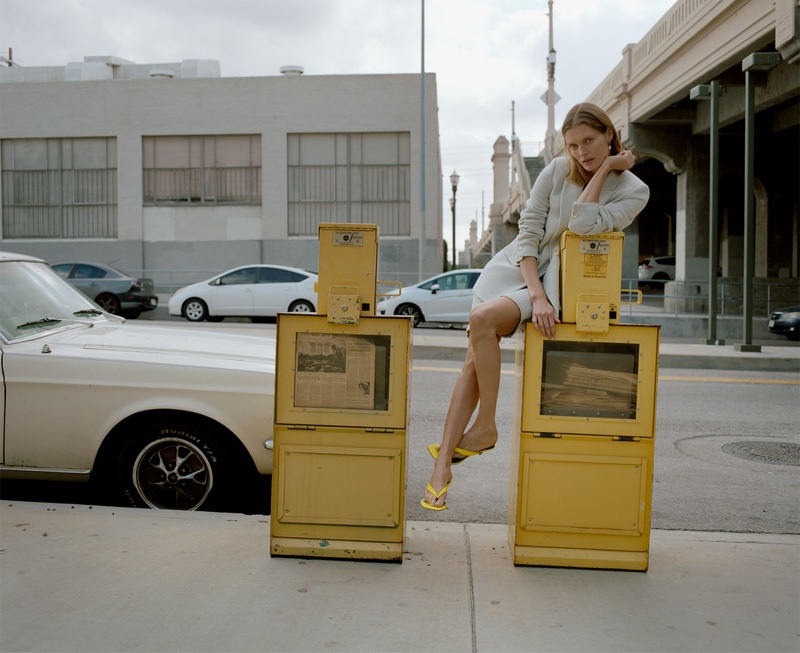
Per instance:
{"type": "Point", "coordinates": [176, 171]}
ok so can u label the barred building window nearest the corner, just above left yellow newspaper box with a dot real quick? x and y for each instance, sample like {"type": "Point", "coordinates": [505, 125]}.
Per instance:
{"type": "Point", "coordinates": [359, 178]}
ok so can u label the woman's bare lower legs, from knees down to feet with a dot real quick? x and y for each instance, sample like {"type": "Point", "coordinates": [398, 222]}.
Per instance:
{"type": "Point", "coordinates": [477, 385]}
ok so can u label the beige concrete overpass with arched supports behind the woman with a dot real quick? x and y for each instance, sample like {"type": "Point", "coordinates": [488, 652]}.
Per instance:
{"type": "Point", "coordinates": [649, 97]}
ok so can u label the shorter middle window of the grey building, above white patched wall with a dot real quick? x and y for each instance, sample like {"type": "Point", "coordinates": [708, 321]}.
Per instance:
{"type": "Point", "coordinates": [202, 169]}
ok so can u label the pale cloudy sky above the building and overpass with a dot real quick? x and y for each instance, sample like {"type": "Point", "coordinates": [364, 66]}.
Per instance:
{"type": "Point", "coordinates": [486, 54]}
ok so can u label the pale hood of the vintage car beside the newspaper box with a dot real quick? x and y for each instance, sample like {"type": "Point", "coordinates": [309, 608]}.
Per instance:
{"type": "Point", "coordinates": [198, 347]}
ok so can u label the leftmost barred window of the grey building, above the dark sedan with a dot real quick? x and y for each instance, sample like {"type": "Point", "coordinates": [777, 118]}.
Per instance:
{"type": "Point", "coordinates": [59, 188]}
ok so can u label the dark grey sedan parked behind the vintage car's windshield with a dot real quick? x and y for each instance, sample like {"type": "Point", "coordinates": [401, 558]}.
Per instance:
{"type": "Point", "coordinates": [114, 291]}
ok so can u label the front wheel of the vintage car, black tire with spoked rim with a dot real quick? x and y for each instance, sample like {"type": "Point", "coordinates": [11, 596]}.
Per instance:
{"type": "Point", "coordinates": [174, 464]}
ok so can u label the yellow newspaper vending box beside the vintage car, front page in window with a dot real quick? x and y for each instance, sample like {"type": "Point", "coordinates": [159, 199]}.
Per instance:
{"type": "Point", "coordinates": [341, 414]}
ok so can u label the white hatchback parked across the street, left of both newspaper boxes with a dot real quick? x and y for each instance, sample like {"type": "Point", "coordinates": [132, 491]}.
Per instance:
{"type": "Point", "coordinates": [247, 291]}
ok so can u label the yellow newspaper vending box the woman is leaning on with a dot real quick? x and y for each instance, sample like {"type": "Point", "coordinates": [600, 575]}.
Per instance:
{"type": "Point", "coordinates": [582, 458]}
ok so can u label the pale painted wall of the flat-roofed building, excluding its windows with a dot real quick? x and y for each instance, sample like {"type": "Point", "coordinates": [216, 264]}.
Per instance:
{"type": "Point", "coordinates": [113, 98]}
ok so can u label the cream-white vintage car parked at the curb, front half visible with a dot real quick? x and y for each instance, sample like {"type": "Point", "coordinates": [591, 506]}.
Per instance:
{"type": "Point", "coordinates": [157, 416]}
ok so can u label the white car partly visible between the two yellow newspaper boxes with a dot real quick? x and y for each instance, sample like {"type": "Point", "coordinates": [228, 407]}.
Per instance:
{"type": "Point", "coordinates": [444, 298]}
